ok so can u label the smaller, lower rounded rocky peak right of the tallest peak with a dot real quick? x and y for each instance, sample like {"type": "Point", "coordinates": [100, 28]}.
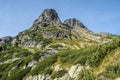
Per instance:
{"type": "Point", "coordinates": [73, 22]}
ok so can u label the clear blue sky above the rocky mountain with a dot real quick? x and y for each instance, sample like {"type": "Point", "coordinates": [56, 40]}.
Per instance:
{"type": "Point", "coordinates": [97, 15]}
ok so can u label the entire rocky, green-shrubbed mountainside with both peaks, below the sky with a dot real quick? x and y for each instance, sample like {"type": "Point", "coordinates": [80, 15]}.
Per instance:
{"type": "Point", "coordinates": [55, 50]}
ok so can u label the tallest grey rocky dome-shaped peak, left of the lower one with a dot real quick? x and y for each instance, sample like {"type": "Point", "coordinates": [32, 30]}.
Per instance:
{"type": "Point", "coordinates": [48, 17]}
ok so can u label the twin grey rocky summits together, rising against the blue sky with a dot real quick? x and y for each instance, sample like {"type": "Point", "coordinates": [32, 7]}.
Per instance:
{"type": "Point", "coordinates": [49, 17]}
